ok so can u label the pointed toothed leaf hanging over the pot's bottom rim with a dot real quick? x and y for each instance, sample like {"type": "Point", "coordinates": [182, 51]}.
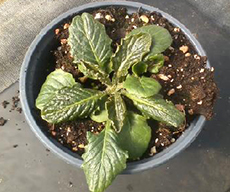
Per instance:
{"type": "Point", "coordinates": [103, 159]}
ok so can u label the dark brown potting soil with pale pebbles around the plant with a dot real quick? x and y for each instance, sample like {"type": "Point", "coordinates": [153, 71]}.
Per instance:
{"type": "Point", "coordinates": [185, 79]}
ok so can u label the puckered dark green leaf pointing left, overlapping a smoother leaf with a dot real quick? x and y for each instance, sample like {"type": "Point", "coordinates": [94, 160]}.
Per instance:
{"type": "Point", "coordinates": [70, 103]}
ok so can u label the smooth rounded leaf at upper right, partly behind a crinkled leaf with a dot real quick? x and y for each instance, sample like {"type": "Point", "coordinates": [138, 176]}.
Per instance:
{"type": "Point", "coordinates": [161, 38]}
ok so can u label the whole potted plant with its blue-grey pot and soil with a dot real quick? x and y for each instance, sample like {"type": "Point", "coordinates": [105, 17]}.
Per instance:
{"type": "Point", "coordinates": [120, 87]}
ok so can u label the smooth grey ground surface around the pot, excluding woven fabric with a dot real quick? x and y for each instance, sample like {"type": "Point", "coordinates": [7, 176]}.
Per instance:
{"type": "Point", "coordinates": [203, 167]}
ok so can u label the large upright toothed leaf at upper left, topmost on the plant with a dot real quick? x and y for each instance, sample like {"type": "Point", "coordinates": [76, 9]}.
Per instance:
{"type": "Point", "coordinates": [89, 42]}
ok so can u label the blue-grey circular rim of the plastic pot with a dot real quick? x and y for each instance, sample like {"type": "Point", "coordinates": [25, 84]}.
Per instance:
{"type": "Point", "coordinates": [133, 167]}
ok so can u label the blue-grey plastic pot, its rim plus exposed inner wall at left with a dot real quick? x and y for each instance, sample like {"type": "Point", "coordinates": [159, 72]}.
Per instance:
{"type": "Point", "coordinates": [37, 65]}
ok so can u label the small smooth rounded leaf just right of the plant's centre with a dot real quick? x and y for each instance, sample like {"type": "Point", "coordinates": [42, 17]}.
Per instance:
{"type": "Point", "coordinates": [142, 86]}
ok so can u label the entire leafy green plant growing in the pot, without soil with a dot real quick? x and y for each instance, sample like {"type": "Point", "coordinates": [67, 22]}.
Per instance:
{"type": "Point", "coordinates": [129, 99]}
